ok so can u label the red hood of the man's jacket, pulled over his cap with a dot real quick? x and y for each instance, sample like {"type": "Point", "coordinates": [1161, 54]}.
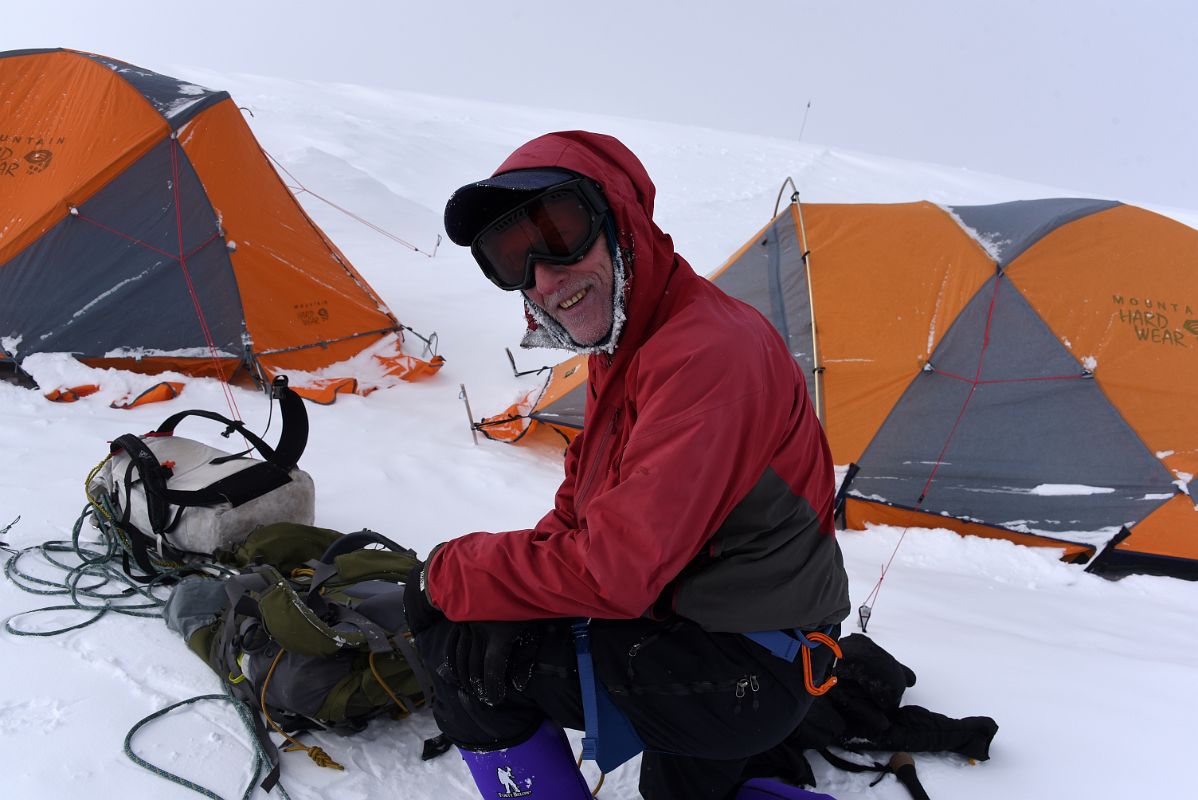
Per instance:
{"type": "Point", "coordinates": [648, 253]}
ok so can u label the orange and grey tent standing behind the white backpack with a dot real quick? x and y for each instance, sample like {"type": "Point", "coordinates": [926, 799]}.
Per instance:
{"type": "Point", "coordinates": [142, 227]}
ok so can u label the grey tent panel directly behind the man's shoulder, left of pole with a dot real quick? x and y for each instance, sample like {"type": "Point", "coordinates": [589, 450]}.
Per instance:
{"type": "Point", "coordinates": [771, 276]}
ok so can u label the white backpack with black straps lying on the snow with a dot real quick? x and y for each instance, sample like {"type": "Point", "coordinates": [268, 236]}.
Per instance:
{"type": "Point", "coordinates": [172, 500]}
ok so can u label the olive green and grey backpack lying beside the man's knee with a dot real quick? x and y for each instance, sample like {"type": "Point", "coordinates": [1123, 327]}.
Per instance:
{"type": "Point", "coordinates": [311, 632]}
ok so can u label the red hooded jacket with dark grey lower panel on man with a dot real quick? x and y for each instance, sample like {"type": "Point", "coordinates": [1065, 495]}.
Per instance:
{"type": "Point", "coordinates": [701, 486]}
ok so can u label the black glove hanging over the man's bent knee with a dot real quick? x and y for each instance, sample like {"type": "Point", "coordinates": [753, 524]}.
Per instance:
{"type": "Point", "coordinates": [486, 658]}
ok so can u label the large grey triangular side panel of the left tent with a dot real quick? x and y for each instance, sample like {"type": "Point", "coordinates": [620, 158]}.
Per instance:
{"type": "Point", "coordinates": [86, 290]}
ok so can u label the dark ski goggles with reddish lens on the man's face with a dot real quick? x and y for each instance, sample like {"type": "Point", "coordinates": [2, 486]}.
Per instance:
{"type": "Point", "coordinates": [558, 227]}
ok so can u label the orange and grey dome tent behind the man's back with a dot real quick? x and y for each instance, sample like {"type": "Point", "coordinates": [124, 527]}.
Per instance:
{"type": "Point", "coordinates": [1026, 371]}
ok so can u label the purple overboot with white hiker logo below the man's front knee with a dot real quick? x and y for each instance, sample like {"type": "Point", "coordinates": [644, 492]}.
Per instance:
{"type": "Point", "coordinates": [542, 768]}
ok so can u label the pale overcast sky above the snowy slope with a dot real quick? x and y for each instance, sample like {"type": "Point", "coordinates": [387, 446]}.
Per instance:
{"type": "Point", "coordinates": [1100, 96]}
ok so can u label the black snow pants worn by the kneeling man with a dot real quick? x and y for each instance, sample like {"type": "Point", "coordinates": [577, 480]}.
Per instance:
{"type": "Point", "coordinates": [703, 704]}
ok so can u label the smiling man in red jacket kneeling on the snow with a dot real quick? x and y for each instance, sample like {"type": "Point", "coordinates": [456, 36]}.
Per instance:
{"type": "Point", "coordinates": [695, 520]}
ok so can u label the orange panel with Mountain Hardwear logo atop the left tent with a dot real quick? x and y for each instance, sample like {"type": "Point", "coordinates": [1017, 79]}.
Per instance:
{"type": "Point", "coordinates": [70, 128]}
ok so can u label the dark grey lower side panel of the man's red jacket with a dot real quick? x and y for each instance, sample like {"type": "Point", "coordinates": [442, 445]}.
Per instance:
{"type": "Point", "coordinates": [771, 568]}
